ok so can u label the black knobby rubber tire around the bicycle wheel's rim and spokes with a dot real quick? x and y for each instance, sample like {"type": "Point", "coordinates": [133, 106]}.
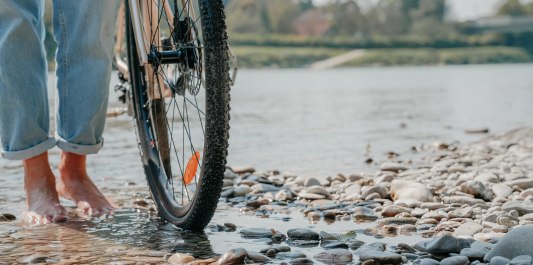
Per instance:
{"type": "Point", "coordinates": [199, 210]}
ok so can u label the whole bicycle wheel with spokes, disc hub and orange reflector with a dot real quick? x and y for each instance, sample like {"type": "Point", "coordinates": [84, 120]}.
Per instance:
{"type": "Point", "coordinates": [181, 105]}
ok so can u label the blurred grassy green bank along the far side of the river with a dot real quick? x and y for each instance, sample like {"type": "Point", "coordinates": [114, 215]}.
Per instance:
{"type": "Point", "coordinates": [301, 57]}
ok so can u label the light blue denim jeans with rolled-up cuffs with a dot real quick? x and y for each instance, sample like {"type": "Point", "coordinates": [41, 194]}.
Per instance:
{"type": "Point", "coordinates": [84, 31]}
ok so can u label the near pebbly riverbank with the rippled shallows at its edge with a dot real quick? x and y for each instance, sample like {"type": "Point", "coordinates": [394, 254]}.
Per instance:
{"type": "Point", "coordinates": [452, 203]}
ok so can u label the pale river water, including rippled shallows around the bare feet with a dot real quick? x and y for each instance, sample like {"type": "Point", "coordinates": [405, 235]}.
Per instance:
{"type": "Point", "coordinates": [308, 122]}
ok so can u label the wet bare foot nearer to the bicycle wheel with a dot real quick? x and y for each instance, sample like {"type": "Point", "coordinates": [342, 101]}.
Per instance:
{"type": "Point", "coordinates": [76, 185]}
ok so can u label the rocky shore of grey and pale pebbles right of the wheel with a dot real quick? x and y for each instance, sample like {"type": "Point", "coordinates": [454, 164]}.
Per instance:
{"type": "Point", "coordinates": [473, 203]}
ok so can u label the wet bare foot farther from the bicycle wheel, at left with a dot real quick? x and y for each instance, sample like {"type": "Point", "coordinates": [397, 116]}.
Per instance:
{"type": "Point", "coordinates": [41, 196]}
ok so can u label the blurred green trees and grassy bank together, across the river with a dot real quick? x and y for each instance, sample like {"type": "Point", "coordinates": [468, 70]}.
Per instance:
{"type": "Point", "coordinates": [295, 33]}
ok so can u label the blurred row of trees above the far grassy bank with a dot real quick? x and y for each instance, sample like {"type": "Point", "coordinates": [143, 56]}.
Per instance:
{"type": "Point", "coordinates": [350, 17]}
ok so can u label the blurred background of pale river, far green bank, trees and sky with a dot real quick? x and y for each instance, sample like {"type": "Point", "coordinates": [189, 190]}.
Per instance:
{"type": "Point", "coordinates": [329, 86]}
